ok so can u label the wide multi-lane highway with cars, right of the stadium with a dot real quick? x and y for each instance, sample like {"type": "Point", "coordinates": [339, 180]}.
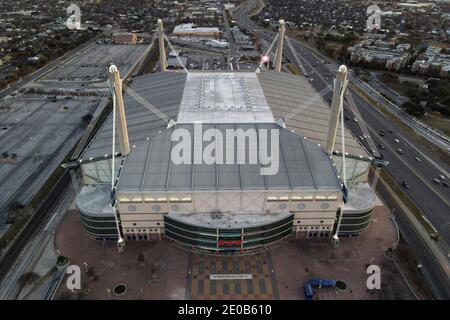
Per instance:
{"type": "Point", "coordinates": [431, 198]}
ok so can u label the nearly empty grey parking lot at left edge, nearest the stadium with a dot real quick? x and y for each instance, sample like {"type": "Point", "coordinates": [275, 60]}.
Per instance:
{"type": "Point", "coordinates": [35, 136]}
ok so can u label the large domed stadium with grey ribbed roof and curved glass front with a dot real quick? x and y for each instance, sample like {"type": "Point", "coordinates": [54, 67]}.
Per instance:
{"type": "Point", "coordinates": [224, 206]}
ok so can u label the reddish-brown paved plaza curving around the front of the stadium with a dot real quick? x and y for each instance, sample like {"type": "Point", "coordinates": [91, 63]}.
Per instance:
{"type": "Point", "coordinates": [160, 270]}
